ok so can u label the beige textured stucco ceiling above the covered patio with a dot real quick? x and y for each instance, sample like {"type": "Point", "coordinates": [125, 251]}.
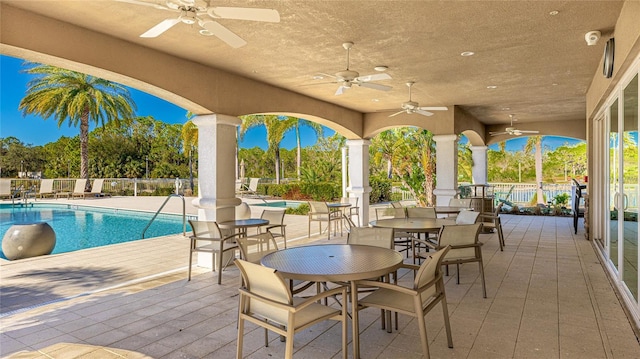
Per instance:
{"type": "Point", "coordinates": [539, 62]}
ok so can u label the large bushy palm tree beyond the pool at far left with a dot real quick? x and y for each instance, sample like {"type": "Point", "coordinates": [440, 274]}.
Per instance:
{"type": "Point", "coordinates": [80, 98]}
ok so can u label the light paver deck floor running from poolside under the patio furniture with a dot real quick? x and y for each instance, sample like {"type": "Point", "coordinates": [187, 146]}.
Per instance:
{"type": "Point", "coordinates": [548, 297]}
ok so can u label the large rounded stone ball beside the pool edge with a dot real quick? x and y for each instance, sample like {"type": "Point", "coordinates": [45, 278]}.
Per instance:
{"type": "Point", "coordinates": [28, 240]}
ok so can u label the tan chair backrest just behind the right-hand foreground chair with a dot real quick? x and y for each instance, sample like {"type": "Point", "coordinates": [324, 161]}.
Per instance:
{"type": "Point", "coordinates": [459, 235]}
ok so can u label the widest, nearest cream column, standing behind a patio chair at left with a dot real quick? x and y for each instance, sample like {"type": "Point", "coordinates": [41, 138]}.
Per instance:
{"type": "Point", "coordinates": [216, 168]}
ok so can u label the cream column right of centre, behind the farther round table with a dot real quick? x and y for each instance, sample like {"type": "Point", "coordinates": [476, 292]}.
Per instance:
{"type": "Point", "coordinates": [446, 168]}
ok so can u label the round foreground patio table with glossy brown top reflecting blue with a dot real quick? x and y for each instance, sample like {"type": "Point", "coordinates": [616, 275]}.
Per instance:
{"type": "Point", "coordinates": [336, 263]}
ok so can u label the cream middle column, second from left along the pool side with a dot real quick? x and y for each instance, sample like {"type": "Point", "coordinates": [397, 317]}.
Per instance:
{"type": "Point", "coordinates": [359, 176]}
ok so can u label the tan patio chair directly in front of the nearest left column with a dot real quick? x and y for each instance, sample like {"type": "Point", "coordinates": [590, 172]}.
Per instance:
{"type": "Point", "coordinates": [216, 244]}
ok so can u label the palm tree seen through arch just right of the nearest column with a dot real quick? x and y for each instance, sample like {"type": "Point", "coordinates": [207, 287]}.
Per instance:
{"type": "Point", "coordinates": [276, 127]}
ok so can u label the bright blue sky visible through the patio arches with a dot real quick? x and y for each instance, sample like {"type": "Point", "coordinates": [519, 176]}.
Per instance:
{"type": "Point", "coordinates": [33, 130]}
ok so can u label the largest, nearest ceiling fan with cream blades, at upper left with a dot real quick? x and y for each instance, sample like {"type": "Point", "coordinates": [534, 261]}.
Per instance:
{"type": "Point", "coordinates": [192, 12]}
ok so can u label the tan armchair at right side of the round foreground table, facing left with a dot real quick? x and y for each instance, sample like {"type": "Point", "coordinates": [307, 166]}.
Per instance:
{"type": "Point", "coordinates": [427, 291]}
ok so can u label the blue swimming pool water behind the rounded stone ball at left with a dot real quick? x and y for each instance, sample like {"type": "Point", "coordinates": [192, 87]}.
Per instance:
{"type": "Point", "coordinates": [80, 227]}
